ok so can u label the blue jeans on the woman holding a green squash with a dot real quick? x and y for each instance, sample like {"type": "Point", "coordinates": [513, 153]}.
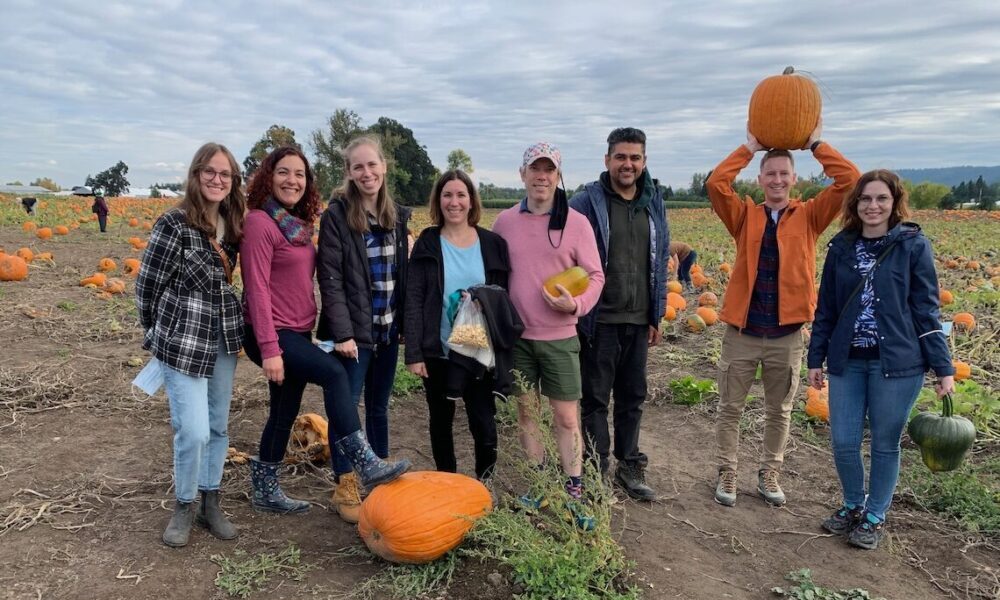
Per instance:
{"type": "Point", "coordinates": [863, 391]}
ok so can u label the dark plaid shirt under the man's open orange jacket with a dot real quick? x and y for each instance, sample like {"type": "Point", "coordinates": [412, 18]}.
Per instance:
{"type": "Point", "coordinates": [762, 319]}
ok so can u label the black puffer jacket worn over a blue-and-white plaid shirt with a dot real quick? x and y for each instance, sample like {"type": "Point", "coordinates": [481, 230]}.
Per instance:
{"type": "Point", "coordinates": [345, 283]}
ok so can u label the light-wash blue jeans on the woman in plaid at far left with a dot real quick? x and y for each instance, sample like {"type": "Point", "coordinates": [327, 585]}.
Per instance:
{"type": "Point", "coordinates": [199, 416]}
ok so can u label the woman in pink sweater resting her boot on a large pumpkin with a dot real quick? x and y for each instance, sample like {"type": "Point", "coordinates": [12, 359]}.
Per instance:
{"type": "Point", "coordinates": [278, 261]}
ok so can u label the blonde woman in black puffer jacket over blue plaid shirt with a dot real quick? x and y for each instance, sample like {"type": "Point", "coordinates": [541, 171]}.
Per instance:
{"type": "Point", "coordinates": [361, 268]}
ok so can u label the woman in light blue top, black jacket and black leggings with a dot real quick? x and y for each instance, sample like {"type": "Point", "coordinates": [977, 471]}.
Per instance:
{"type": "Point", "coordinates": [455, 254]}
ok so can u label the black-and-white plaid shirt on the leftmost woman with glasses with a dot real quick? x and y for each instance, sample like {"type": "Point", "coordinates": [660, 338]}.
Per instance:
{"type": "Point", "coordinates": [183, 298]}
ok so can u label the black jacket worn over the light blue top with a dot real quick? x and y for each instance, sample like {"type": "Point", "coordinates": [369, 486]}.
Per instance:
{"type": "Point", "coordinates": [425, 285]}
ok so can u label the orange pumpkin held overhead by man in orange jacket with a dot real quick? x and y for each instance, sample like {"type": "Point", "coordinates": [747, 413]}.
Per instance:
{"type": "Point", "coordinates": [784, 110]}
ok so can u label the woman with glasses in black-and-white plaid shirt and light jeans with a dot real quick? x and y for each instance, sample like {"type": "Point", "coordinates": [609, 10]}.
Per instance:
{"type": "Point", "coordinates": [194, 326]}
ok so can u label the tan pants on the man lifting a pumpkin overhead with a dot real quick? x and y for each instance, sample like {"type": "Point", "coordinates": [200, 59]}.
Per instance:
{"type": "Point", "coordinates": [780, 360]}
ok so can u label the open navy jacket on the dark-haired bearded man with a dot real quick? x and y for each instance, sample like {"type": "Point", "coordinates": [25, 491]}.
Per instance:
{"type": "Point", "coordinates": [593, 204]}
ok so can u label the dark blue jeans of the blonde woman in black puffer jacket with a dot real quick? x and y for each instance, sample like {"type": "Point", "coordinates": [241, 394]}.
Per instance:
{"type": "Point", "coordinates": [374, 372]}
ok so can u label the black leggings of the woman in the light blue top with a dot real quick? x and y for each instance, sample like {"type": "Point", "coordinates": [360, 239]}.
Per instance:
{"type": "Point", "coordinates": [481, 409]}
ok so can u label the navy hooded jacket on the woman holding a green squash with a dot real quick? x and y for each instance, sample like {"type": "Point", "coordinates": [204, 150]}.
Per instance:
{"type": "Point", "coordinates": [906, 307]}
